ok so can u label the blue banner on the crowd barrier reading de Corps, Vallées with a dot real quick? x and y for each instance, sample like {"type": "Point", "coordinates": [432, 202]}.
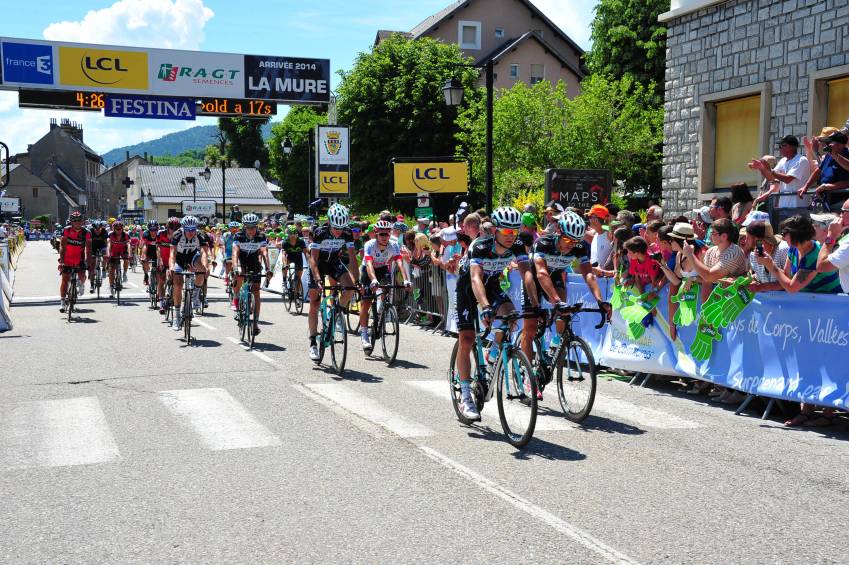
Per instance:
{"type": "Point", "coordinates": [787, 346]}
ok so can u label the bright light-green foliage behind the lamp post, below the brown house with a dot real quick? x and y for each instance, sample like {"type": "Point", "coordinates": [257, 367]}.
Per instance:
{"type": "Point", "coordinates": [608, 126]}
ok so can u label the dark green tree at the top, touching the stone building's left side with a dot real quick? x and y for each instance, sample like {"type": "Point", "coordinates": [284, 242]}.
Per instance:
{"type": "Point", "coordinates": [628, 40]}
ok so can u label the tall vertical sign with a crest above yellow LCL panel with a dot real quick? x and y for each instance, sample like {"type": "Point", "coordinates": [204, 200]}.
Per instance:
{"type": "Point", "coordinates": [333, 156]}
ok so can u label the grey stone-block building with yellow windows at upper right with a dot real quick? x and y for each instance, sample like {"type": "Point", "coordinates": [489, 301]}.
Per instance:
{"type": "Point", "coordinates": [741, 74]}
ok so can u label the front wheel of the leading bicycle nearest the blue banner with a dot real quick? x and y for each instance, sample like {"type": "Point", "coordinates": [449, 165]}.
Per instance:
{"type": "Point", "coordinates": [576, 379]}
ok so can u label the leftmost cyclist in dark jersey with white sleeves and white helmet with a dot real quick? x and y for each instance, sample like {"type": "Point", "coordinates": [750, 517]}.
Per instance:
{"type": "Point", "coordinates": [188, 252]}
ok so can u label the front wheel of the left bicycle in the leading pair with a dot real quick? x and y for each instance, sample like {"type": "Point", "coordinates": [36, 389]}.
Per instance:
{"type": "Point", "coordinates": [517, 398]}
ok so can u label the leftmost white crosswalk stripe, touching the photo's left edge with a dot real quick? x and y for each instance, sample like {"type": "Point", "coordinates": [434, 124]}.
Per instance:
{"type": "Point", "coordinates": [56, 433]}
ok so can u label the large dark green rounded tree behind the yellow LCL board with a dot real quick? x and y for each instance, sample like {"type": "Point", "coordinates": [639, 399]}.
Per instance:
{"type": "Point", "coordinates": [393, 101]}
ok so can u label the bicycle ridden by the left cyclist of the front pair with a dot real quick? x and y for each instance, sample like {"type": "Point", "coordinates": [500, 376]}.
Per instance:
{"type": "Point", "coordinates": [514, 378]}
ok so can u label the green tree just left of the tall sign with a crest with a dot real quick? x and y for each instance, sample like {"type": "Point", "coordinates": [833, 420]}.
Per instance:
{"type": "Point", "coordinates": [292, 171]}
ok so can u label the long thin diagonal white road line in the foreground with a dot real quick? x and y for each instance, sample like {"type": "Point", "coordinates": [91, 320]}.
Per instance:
{"type": "Point", "coordinates": [576, 534]}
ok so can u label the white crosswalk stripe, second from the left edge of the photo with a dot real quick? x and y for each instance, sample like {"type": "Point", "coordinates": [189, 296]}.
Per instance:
{"type": "Point", "coordinates": [219, 419]}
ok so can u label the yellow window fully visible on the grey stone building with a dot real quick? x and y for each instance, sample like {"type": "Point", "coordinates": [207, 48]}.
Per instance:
{"type": "Point", "coordinates": [737, 126]}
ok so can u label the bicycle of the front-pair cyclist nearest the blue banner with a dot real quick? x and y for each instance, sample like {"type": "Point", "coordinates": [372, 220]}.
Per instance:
{"type": "Point", "coordinates": [572, 362]}
